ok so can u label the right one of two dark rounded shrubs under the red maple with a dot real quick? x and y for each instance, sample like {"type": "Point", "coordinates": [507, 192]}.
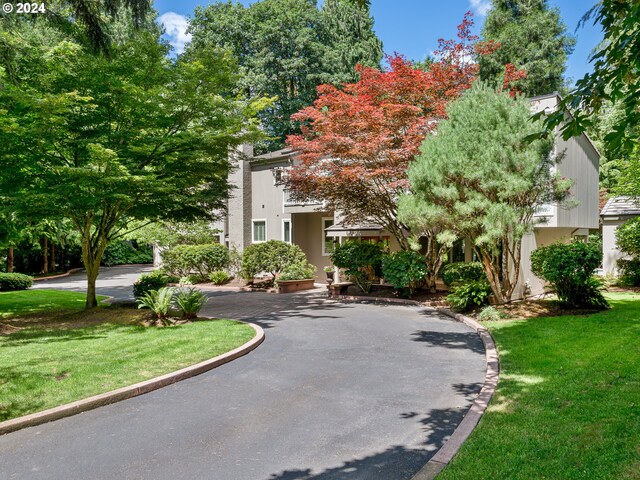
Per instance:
{"type": "Point", "coordinates": [405, 271]}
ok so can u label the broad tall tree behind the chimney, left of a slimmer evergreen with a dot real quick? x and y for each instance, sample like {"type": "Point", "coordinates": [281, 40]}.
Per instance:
{"type": "Point", "coordinates": [277, 45]}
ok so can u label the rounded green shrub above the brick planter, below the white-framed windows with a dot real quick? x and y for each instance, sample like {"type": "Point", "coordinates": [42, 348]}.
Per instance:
{"type": "Point", "coordinates": [271, 257]}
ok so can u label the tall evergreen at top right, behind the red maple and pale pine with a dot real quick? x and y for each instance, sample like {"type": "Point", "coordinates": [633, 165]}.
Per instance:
{"type": "Point", "coordinates": [532, 37]}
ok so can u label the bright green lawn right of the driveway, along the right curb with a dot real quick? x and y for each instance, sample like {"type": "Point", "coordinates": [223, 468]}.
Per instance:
{"type": "Point", "coordinates": [568, 401]}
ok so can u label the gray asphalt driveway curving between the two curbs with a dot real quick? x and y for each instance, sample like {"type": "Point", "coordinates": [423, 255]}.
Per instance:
{"type": "Point", "coordinates": [336, 391]}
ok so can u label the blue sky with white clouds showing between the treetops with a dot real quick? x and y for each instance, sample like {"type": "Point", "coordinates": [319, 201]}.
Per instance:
{"type": "Point", "coordinates": [412, 27]}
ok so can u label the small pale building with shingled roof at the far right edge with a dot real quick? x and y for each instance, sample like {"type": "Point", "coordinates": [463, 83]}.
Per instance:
{"type": "Point", "coordinates": [616, 211]}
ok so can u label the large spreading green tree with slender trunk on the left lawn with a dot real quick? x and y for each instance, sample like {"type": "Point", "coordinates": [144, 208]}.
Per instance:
{"type": "Point", "coordinates": [132, 136]}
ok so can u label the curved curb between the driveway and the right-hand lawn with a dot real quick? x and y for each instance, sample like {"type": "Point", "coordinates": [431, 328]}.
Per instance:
{"type": "Point", "coordinates": [443, 456]}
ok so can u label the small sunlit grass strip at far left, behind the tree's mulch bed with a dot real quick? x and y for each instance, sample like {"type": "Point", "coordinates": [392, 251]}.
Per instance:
{"type": "Point", "coordinates": [33, 301]}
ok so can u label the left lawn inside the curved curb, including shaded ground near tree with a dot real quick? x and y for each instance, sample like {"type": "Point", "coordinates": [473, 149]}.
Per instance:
{"type": "Point", "coordinates": [56, 358]}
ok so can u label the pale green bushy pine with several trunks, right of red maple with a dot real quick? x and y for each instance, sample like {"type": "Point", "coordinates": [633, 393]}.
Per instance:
{"type": "Point", "coordinates": [477, 178]}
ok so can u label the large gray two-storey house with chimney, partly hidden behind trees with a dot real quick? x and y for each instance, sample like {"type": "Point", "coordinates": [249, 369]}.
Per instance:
{"type": "Point", "coordinates": [260, 208]}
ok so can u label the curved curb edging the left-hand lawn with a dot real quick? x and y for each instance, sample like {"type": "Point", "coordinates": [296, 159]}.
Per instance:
{"type": "Point", "coordinates": [132, 390]}
